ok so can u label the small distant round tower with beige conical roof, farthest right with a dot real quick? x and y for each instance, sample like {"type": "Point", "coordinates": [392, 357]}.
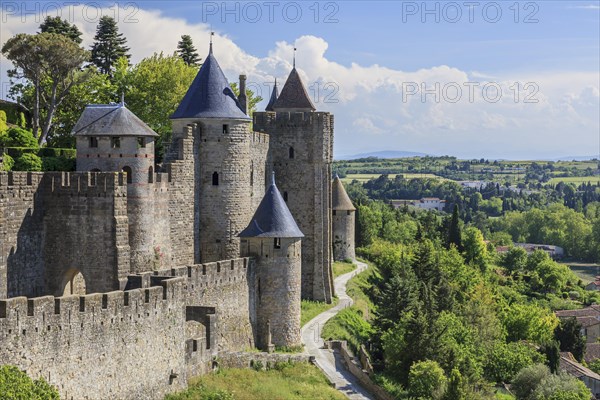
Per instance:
{"type": "Point", "coordinates": [343, 222]}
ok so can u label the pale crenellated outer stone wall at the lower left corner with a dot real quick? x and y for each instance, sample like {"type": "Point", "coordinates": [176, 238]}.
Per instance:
{"type": "Point", "coordinates": [117, 345]}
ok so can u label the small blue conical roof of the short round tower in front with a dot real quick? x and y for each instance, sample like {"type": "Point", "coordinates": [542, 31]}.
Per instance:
{"type": "Point", "coordinates": [272, 218]}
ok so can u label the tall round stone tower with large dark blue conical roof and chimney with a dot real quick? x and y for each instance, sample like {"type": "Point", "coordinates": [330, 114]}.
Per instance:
{"type": "Point", "coordinates": [224, 177]}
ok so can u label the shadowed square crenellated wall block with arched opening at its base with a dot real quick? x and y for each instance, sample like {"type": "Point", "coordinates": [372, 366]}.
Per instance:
{"type": "Point", "coordinates": [85, 230]}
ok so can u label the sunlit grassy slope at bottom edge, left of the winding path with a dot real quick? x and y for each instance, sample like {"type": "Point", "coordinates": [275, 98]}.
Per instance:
{"type": "Point", "coordinates": [286, 381]}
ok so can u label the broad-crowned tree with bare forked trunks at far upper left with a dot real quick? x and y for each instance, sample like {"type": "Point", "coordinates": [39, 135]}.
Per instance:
{"type": "Point", "coordinates": [52, 64]}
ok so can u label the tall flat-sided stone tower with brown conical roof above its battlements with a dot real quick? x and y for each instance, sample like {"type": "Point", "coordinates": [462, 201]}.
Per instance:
{"type": "Point", "coordinates": [300, 152]}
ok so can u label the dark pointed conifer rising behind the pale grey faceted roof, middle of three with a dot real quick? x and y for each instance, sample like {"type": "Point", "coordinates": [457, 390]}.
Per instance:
{"type": "Point", "coordinates": [109, 45]}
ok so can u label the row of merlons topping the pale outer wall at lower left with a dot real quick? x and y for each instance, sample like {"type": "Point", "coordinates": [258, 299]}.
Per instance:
{"type": "Point", "coordinates": [14, 310]}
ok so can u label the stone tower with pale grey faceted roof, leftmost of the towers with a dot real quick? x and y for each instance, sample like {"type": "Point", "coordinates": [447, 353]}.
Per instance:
{"type": "Point", "coordinates": [111, 138]}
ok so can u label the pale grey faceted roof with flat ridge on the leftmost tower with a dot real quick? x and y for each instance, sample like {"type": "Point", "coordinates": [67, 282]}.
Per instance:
{"type": "Point", "coordinates": [110, 120]}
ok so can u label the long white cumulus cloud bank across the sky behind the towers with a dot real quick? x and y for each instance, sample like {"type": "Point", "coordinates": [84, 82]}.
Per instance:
{"type": "Point", "coordinates": [436, 110]}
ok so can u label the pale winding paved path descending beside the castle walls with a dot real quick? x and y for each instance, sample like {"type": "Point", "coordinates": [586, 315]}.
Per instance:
{"type": "Point", "coordinates": [329, 362]}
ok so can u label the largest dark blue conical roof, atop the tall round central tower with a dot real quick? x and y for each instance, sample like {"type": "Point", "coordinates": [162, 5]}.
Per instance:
{"type": "Point", "coordinates": [210, 95]}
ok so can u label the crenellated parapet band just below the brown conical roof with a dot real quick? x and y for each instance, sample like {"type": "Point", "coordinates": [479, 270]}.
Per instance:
{"type": "Point", "coordinates": [265, 121]}
